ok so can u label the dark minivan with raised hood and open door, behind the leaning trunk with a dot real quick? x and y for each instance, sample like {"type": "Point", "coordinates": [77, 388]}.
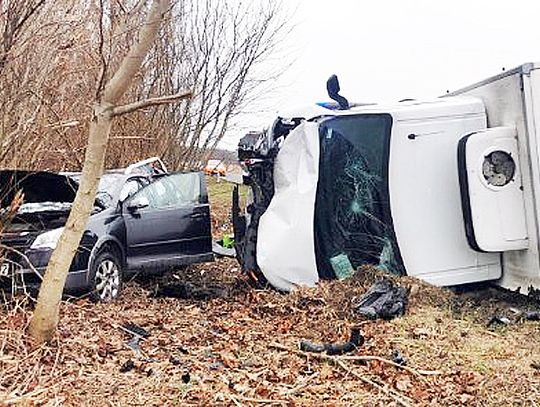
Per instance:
{"type": "Point", "coordinates": [144, 220]}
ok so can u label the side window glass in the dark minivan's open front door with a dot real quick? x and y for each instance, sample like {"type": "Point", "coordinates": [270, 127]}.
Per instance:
{"type": "Point", "coordinates": [173, 190]}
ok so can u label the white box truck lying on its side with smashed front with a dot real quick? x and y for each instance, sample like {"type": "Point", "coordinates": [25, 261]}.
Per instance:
{"type": "Point", "coordinates": [446, 190]}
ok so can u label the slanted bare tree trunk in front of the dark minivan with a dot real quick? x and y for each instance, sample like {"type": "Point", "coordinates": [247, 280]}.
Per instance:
{"type": "Point", "coordinates": [45, 318]}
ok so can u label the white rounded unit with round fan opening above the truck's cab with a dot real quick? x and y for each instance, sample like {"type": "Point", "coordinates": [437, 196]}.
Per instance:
{"type": "Point", "coordinates": [495, 191]}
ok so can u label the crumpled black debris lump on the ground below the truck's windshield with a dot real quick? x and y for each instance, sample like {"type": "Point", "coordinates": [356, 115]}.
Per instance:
{"type": "Point", "coordinates": [383, 300]}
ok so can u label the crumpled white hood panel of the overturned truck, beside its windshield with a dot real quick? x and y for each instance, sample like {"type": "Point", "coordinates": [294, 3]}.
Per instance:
{"type": "Point", "coordinates": [285, 244]}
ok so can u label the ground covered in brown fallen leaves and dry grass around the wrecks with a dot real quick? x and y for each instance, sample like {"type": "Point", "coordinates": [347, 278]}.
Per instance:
{"type": "Point", "coordinates": [228, 344]}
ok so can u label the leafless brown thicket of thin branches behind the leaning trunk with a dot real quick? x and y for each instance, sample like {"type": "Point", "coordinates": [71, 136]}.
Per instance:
{"type": "Point", "coordinates": [222, 49]}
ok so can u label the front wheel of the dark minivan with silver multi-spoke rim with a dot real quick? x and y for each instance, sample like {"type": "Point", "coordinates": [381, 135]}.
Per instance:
{"type": "Point", "coordinates": [105, 277]}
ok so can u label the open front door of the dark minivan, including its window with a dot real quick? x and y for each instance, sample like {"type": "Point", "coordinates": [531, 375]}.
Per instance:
{"type": "Point", "coordinates": [172, 227]}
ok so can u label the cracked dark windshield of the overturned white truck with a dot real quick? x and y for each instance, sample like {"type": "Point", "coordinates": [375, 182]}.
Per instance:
{"type": "Point", "coordinates": [352, 209]}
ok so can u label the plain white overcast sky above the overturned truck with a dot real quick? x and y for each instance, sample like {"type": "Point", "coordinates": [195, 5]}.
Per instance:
{"type": "Point", "coordinates": [385, 50]}
